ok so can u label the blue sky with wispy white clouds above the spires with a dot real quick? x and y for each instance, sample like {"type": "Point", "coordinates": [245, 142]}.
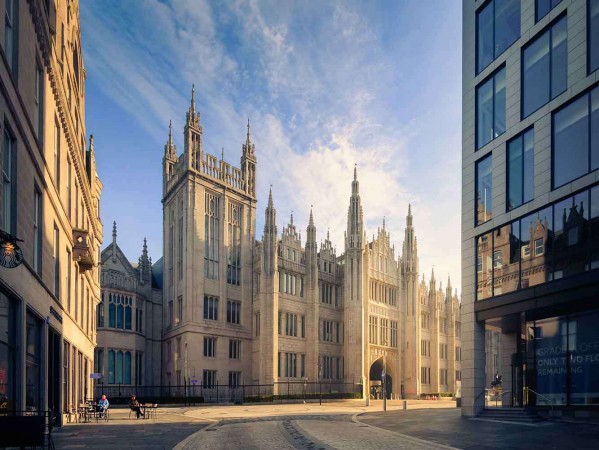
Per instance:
{"type": "Point", "coordinates": [325, 84]}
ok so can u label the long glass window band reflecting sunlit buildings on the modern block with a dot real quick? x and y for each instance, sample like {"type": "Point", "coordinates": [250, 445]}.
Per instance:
{"type": "Point", "coordinates": [559, 241]}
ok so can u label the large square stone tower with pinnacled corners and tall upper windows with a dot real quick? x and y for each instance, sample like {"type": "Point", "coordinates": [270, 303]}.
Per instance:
{"type": "Point", "coordinates": [209, 237]}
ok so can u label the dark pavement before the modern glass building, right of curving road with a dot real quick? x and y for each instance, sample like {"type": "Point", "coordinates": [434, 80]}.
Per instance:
{"type": "Point", "coordinates": [446, 426]}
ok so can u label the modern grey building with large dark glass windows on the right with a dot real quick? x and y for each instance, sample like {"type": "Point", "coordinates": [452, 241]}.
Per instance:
{"type": "Point", "coordinates": [530, 202]}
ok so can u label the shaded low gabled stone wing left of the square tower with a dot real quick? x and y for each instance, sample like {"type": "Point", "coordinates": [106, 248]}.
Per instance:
{"type": "Point", "coordinates": [129, 322]}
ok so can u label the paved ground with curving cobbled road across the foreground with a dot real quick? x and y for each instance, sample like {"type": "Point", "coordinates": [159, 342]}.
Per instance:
{"type": "Point", "coordinates": [340, 425]}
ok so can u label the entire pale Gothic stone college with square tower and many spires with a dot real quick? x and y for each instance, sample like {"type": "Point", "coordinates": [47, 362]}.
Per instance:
{"type": "Point", "coordinates": [222, 308]}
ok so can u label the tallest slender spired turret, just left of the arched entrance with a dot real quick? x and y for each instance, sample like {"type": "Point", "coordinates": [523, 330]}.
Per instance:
{"type": "Point", "coordinates": [354, 315]}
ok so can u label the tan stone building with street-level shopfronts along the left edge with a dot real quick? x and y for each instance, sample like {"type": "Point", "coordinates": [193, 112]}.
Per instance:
{"type": "Point", "coordinates": [50, 200]}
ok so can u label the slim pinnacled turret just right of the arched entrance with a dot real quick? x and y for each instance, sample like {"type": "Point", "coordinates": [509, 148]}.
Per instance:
{"type": "Point", "coordinates": [410, 309]}
